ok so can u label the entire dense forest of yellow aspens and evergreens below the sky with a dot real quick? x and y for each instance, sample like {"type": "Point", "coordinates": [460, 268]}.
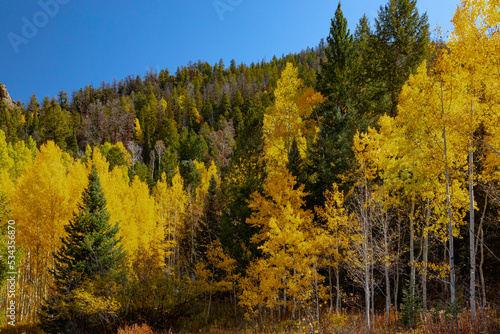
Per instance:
{"type": "Point", "coordinates": [351, 187]}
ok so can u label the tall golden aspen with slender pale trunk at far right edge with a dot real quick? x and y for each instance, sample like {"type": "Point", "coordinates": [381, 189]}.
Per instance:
{"type": "Point", "coordinates": [474, 45]}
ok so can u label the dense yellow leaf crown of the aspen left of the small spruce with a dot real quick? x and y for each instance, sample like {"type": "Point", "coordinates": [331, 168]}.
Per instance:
{"type": "Point", "coordinates": [46, 197]}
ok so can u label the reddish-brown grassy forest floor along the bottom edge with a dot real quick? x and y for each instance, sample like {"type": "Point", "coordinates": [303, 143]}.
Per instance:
{"type": "Point", "coordinates": [332, 323]}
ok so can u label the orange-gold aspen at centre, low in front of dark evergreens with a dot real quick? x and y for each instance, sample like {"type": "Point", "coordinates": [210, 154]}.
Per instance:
{"type": "Point", "coordinates": [288, 269]}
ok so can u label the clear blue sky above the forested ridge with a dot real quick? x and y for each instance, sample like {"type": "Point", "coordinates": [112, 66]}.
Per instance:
{"type": "Point", "coordinates": [89, 41]}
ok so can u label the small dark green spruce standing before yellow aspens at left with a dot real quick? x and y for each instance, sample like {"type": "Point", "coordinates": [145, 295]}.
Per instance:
{"type": "Point", "coordinates": [90, 252]}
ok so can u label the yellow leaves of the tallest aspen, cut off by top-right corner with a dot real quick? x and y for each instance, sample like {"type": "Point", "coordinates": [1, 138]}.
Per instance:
{"type": "Point", "coordinates": [475, 45]}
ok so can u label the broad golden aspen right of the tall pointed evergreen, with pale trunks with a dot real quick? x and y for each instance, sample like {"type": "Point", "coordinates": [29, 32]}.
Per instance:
{"type": "Point", "coordinates": [422, 160]}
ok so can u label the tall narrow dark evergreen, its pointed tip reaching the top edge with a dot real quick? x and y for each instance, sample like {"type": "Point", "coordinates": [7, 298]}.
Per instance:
{"type": "Point", "coordinates": [331, 152]}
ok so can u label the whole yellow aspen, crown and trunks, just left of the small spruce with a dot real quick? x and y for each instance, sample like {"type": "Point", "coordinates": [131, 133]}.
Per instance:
{"type": "Point", "coordinates": [43, 201]}
